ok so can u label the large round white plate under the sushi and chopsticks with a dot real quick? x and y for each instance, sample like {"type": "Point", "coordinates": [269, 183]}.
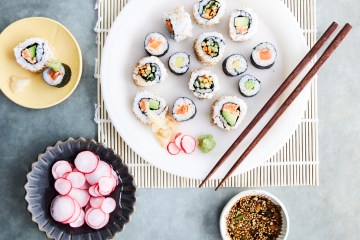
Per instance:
{"type": "Point", "coordinates": [125, 47]}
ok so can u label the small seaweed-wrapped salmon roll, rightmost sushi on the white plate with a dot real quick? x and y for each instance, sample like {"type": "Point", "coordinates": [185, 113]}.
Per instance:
{"type": "Point", "coordinates": [263, 55]}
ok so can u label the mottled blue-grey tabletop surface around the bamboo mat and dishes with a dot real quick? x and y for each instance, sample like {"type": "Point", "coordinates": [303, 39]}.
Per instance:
{"type": "Point", "coordinates": [330, 211]}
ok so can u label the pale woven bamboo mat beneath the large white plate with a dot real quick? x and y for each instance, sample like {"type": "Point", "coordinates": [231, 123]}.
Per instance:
{"type": "Point", "coordinates": [296, 163]}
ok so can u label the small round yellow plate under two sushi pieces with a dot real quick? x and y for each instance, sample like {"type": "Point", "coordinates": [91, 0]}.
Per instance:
{"type": "Point", "coordinates": [38, 94]}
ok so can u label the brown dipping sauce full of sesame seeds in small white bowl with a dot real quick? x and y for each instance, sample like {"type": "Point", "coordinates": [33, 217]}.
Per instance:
{"type": "Point", "coordinates": [254, 217]}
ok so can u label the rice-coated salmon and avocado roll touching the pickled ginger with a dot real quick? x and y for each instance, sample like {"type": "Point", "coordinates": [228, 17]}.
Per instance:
{"type": "Point", "coordinates": [147, 101]}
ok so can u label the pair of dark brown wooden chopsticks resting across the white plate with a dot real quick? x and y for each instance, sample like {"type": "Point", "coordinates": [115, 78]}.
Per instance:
{"type": "Point", "coordinates": [293, 75]}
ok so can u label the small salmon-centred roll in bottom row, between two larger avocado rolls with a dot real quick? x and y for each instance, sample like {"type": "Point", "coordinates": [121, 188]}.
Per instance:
{"type": "Point", "coordinates": [184, 109]}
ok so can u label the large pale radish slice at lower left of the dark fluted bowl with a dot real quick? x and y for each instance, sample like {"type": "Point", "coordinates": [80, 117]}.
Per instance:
{"type": "Point", "coordinates": [62, 208]}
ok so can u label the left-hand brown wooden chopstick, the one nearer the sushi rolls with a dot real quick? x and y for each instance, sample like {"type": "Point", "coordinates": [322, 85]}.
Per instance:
{"type": "Point", "coordinates": [304, 62]}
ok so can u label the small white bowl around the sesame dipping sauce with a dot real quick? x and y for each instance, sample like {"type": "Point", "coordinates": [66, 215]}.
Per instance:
{"type": "Point", "coordinates": [284, 215]}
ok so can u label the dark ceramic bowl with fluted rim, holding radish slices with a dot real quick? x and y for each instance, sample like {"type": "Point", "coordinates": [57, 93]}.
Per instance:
{"type": "Point", "coordinates": [40, 191]}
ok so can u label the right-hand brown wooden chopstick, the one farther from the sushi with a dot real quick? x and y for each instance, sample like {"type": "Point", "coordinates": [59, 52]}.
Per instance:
{"type": "Point", "coordinates": [324, 57]}
